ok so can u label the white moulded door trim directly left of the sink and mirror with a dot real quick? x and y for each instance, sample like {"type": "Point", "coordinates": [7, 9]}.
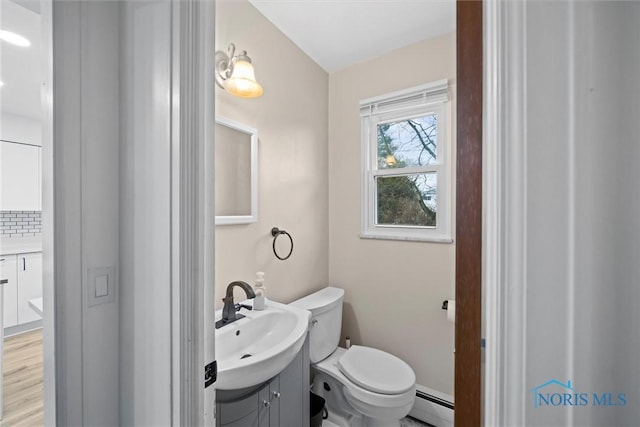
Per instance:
{"type": "Point", "coordinates": [193, 219]}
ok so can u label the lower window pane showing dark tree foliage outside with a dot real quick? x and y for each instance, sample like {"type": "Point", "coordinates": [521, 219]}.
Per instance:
{"type": "Point", "coordinates": [407, 200]}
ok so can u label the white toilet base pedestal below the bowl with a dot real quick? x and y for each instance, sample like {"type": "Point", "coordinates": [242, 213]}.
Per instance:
{"type": "Point", "coordinates": [341, 413]}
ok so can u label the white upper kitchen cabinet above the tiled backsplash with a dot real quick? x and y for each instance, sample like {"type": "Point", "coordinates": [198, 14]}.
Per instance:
{"type": "Point", "coordinates": [20, 186]}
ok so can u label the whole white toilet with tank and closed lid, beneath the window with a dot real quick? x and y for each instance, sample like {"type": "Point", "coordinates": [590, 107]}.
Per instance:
{"type": "Point", "coordinates": [363, 387]}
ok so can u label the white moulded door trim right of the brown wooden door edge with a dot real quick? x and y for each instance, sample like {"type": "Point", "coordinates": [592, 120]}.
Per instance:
{"type": "Point", "coordinates": [504, 212]}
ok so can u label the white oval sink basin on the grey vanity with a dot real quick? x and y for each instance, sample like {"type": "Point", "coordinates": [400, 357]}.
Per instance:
{"type": "Point", "coordinates": [258, 347]}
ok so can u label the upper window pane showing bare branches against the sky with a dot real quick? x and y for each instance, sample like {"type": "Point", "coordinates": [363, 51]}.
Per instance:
{"type": "Point", "coordinates": [407, 143]}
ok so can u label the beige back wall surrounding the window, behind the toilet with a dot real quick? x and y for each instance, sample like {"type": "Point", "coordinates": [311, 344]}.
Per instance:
{"type": "Point", "coordinates": [394, 289]}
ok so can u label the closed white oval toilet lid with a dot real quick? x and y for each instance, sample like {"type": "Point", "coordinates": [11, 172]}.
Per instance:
{"type": "Point", "coordinates": [376, 371]}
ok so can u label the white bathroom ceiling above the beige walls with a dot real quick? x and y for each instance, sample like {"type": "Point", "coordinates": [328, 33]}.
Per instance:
{"type": "Point", "coordinates": [340, 33]}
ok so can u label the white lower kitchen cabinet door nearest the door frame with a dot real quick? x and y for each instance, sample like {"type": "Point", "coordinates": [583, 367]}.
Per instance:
{"type": "Point", "coordinates": [29, 285]}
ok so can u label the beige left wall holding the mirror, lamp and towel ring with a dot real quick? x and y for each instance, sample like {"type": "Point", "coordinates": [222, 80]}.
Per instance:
{"type": "Point", "coordinates": [291, 119]}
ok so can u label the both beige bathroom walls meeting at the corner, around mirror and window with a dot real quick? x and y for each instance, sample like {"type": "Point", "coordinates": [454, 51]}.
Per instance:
{"type": "Point", "coordinates": [309, 148]}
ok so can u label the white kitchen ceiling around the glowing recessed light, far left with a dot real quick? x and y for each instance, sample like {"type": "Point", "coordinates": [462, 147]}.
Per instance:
{"type": "Point", "coordinates": [20, 67]}
